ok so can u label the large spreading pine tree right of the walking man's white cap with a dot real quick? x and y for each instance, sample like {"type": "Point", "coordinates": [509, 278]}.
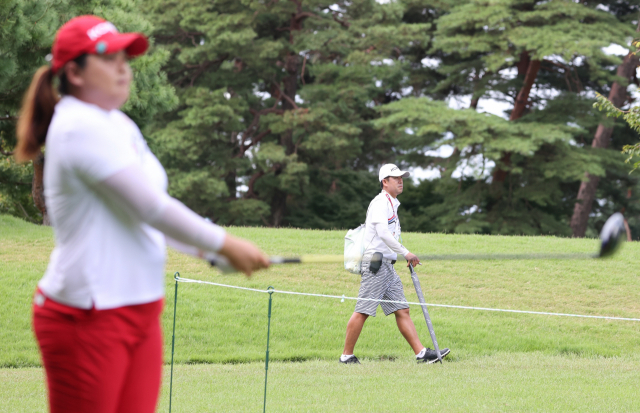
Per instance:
{"type": "Point", "coordinates": [546, 59]}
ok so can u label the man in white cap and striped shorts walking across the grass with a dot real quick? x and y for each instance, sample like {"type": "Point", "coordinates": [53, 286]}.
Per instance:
{"type": "Point", "coordinates": [382, 282]}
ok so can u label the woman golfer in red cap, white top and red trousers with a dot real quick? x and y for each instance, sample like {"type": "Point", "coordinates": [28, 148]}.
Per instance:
{"type": "Point", "coordinates": [96, 310]}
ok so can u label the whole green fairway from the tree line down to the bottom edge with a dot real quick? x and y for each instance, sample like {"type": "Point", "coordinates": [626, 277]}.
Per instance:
{"type": "Point", "coordinates": [499, 361]}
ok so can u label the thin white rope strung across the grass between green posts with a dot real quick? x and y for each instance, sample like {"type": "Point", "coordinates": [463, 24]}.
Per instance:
{"type": "Point", "coordinates": [342, 298]}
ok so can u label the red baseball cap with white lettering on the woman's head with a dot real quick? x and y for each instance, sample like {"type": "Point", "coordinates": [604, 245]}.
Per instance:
{"type": "Point", "coordinates": [93, 35]}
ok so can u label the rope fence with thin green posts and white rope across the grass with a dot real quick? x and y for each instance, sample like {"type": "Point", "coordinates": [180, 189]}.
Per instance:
{"type": "Point", "coordinates": [272, 291]}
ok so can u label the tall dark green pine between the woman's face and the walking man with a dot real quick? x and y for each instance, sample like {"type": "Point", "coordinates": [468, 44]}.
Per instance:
{"type": "Point", "coordinates": [277, 101]}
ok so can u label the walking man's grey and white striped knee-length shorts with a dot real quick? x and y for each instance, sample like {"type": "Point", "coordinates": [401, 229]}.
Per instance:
{"type": "Point", "coordinates": [384, 285]}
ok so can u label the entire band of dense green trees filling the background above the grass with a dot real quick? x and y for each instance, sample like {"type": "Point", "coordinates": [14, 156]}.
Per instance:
{"type": "Point", "coordinates": [286, 108]}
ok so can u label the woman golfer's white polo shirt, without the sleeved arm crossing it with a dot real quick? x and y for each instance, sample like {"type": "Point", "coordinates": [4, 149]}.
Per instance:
{"type": "Point", "coordinates": [103, 258]}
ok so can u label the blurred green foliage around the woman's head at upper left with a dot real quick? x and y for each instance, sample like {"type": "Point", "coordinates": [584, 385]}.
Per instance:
{"type": "Point", "coordinates": [27, 29]}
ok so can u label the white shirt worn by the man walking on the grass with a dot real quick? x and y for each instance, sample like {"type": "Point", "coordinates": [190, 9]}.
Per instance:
{"type": "Point", "coordinates": [382, 233]}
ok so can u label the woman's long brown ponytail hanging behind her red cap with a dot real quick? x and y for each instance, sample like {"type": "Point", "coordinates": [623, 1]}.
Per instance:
{"type": "Point", "coordinates": [35, 115]}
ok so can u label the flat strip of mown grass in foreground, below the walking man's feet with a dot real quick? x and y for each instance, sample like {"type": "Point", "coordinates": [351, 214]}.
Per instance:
{"type": "Point", "coordinates": [504, 382]}
